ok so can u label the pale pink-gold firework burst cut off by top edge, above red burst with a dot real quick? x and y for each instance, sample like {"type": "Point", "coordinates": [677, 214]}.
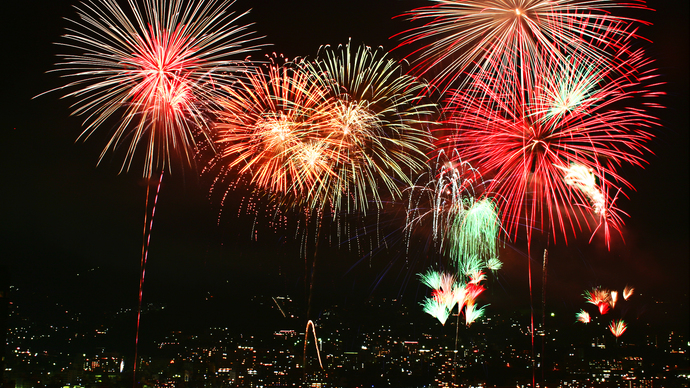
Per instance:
{"type": "Point", "coordinates": [486, 36]}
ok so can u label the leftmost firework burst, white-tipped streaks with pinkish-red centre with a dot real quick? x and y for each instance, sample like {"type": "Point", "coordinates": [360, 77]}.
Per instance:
{"type": "Point", "coordinates": [156, 74]}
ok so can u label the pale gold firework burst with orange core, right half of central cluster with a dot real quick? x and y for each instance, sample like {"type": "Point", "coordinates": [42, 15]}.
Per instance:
{"type": "Point", "coordinates": [378, 125]}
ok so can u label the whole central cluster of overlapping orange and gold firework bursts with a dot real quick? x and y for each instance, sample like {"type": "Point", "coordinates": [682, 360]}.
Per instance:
{"type": "Point", "coordinates": [326, 132]}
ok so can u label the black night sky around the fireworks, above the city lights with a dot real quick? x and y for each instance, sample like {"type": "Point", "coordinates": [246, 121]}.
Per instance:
{"type": "Point", "coordinates": [72, 231]}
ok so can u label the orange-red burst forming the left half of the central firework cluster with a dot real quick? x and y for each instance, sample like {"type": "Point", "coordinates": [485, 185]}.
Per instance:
{"type": "Point", "coordinates": [266, 130]}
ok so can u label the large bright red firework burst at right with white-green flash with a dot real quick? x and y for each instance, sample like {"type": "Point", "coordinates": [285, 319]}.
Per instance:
{"type": "Point", "coordinates": [581, 113]}
